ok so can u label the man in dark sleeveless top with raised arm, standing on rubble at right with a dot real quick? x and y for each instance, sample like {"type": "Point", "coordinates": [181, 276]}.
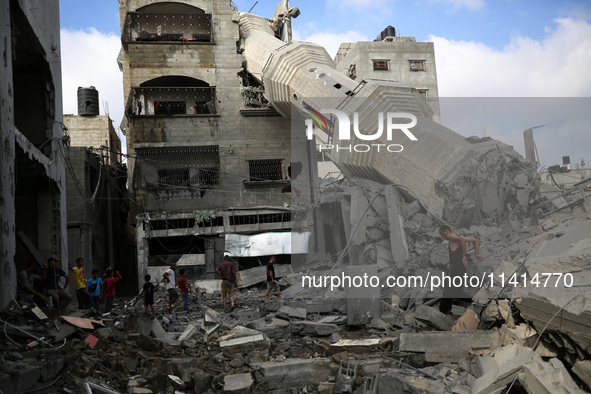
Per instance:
{"type": "Point", "coordinates": [457, 265]}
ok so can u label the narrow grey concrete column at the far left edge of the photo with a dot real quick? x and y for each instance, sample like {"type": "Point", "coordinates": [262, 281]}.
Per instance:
{"type": "Point", "coordinates": [7, 158]}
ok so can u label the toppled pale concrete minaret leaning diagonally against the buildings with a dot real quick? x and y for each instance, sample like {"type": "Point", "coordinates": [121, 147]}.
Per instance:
{"type": "Point", "coordinates": [463, 180]}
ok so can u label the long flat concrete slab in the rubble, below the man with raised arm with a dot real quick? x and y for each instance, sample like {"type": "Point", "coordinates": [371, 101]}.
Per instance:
{"type": "Point", "coordinates": [449, 346]}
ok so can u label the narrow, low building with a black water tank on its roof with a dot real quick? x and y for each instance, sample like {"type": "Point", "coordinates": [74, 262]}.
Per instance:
{"type": "Point", "coordinates": [98, 204]}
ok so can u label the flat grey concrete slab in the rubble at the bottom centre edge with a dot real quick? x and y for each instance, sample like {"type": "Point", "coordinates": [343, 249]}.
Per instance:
{"type": "Point", "coordinates": [295, 372]}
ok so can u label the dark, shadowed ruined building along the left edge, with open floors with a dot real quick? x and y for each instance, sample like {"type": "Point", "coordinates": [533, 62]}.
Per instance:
{"type": "Point", "coordinates": [32, 162]}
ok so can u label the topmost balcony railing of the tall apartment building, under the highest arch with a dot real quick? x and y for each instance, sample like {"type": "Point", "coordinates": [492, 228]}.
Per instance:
{"type": "Point", "coordinates": [167, 27]}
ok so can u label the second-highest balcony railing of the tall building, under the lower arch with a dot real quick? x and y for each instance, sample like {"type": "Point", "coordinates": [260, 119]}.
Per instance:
{"type": "Point", "coordinates": [171, 102]}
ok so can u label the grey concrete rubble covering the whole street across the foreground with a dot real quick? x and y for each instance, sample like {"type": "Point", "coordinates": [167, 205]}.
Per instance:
{"type": "Point", "coordinates": [505, 340]}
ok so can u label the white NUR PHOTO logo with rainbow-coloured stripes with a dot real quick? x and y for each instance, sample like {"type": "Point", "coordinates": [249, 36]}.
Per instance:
{"type": "Point", "coordinates": [344, 129]}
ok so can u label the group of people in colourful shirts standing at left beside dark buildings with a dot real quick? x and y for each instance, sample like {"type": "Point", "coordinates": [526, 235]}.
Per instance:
{"type": "Point", "coordinates": [45, 286]}
